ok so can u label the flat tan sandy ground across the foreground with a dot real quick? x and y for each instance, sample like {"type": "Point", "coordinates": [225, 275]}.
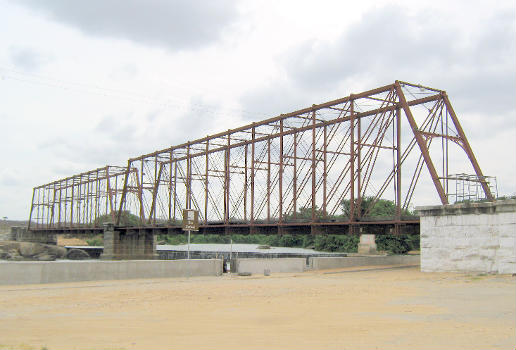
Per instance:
{"type": "Point", "coordinates": [338, 309]}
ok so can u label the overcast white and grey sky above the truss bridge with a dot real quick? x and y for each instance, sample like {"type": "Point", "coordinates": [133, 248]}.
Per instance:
{"type": "Point", "coordinates": [84, 84]}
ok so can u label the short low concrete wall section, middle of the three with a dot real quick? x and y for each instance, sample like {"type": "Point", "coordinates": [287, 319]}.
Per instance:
{"type": "Point", "coordinates": [273, 265]}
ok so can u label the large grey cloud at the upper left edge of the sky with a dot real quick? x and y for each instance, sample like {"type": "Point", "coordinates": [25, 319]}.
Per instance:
{"type": "Point", "coordinates": [175, 24]}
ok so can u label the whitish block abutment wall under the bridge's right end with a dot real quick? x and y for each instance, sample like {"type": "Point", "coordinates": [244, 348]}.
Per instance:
{"type": "Point", "coordinates": [474, 237]}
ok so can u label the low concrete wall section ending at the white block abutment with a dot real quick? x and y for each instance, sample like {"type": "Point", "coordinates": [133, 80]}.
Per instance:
{"type": "Point", "coordinates": [340, 262]}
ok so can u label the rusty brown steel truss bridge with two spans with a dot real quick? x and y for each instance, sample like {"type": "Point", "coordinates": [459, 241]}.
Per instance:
{"type": "Point", "coordinates": [290, 173]}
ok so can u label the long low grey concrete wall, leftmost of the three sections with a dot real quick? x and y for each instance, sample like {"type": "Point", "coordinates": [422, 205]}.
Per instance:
{"type": "Point", "coordinates": [29, 272]}
